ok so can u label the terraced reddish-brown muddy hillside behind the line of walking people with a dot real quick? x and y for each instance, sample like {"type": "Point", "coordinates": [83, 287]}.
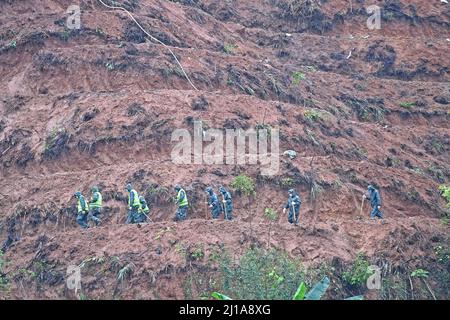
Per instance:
{"type": "Point", "coordinates": [97, 105]}
